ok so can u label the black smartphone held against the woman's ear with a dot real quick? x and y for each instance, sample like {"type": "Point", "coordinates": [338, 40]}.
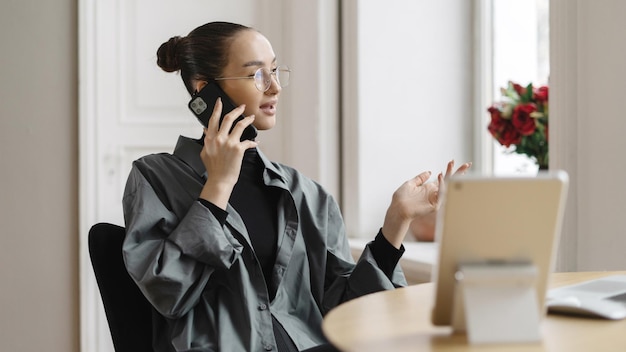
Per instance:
{"type": "Point", "coordinates": [202, 103]}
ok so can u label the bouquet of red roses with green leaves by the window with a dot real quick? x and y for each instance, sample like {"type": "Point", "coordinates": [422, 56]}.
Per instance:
{"type": "Point", "coordinates": [520, 121]}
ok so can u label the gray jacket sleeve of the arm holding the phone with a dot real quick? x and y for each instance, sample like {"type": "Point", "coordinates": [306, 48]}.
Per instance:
{"type": "Point", "coordinates": [170, 257]}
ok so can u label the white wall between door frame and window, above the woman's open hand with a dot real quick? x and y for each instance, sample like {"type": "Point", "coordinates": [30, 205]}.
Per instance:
{"type": "Point", "coordinates": [408, 90]}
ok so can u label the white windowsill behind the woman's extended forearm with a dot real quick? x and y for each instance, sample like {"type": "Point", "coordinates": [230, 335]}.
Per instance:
{"type": "Point", "coordinates": [417, 261]}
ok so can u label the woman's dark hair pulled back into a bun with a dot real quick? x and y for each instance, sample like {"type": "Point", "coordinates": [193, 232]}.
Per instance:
{"type": "Point", "coordinates": [201, 55]}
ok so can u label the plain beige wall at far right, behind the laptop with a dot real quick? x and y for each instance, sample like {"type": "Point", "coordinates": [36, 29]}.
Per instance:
{"type": "Point", "coordinates": [588, 82]}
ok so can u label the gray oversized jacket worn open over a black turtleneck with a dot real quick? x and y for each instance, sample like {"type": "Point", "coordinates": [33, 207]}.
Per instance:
{"type": "Point", "coordinates": [202, 275]}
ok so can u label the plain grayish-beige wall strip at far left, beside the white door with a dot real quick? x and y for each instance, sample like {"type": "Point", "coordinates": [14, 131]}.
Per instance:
{"type": "Point", "coordinates": [39, 177]}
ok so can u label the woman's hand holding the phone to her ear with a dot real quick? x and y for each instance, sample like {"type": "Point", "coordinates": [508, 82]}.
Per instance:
{"type": "Point", "coordinates": [222, 154]}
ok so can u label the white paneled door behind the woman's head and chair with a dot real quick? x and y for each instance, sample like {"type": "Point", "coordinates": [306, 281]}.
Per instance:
{"type": "Point", "coordinates": [130, 107]}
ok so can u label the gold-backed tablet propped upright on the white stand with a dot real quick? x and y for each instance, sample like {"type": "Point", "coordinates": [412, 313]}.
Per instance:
{"type": "Point", "coordinates": [489, 219]}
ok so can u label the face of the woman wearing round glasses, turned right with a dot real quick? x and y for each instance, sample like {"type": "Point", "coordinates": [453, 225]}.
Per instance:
{"type": "Point", "coordinates": [250, 51]}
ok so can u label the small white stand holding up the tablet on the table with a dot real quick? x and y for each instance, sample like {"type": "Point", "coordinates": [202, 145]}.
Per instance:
{"type": "Point", "coordinates": [496, 303]}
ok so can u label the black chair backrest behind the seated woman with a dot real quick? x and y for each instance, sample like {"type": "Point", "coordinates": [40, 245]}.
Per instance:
{"type": "Point", "coordinates": [128, 312]}
